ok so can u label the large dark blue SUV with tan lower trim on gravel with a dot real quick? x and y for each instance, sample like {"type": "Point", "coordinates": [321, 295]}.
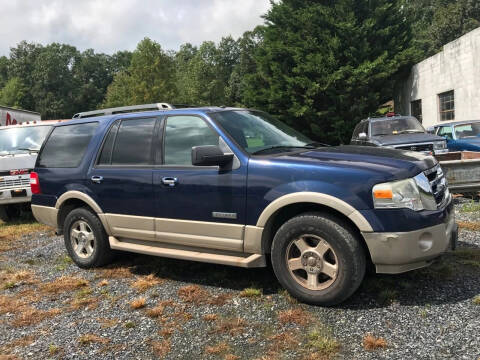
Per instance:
{"type": "Point", "coordinates": [189, 184]}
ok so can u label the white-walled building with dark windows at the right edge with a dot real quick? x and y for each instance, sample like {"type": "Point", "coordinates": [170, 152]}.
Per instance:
{"type": "Point", "coordinates": [445, 87]}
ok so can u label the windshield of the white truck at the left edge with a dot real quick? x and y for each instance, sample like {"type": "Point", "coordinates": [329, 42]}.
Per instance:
{"type": "Point", "coordinates": [22, 139]}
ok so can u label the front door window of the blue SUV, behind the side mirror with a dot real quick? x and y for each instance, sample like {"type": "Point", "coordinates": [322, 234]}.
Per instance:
{"type": "Point", "coordinates": [181, 134]}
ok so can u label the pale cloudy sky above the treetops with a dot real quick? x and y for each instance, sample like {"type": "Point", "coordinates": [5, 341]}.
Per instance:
{"type": "Point", "coordinates": [108, 26]}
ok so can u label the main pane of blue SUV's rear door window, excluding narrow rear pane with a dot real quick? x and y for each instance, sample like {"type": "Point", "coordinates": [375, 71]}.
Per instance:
{"type": "Point", "coordinates": [133, 144]}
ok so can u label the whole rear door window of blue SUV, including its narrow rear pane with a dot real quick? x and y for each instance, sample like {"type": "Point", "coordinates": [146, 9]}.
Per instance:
{"type": "Point", "coordinates": [129, 143]}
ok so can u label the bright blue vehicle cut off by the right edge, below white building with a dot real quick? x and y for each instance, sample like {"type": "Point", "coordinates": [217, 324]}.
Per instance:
{"type": "Point", "coordinates": [460, 136]}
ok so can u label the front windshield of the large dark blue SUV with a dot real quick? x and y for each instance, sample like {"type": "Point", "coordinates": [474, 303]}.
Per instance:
{"type": "Point", "coordinates": [257, 131]}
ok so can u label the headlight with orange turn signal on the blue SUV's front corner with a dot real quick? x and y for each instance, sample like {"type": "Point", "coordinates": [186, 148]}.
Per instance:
{"type": "Point", "coordinates": [414, 193]}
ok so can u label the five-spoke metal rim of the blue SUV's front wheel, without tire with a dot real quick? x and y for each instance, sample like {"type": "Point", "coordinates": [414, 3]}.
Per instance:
{"type": "Point", "coordinates": [312, 262]}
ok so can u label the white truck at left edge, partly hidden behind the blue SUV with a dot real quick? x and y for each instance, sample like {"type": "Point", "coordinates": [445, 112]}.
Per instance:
{"type": "Point", "coordinates": [19, 146]}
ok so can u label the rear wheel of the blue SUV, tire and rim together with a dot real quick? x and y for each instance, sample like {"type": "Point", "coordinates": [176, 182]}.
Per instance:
{"type": "Point", "coordinates": [85, 239]}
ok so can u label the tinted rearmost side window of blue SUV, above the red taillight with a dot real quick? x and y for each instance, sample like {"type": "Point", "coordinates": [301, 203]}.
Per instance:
{"type": "Point", "coordinates": [66, 145]}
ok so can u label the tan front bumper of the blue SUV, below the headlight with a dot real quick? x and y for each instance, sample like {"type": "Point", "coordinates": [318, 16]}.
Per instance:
{"type": "Point", "coordinates": [397, 252]}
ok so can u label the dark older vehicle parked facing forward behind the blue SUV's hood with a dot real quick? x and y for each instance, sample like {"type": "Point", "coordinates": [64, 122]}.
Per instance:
{"type": "Point", "coordinates": [397, 132]}
